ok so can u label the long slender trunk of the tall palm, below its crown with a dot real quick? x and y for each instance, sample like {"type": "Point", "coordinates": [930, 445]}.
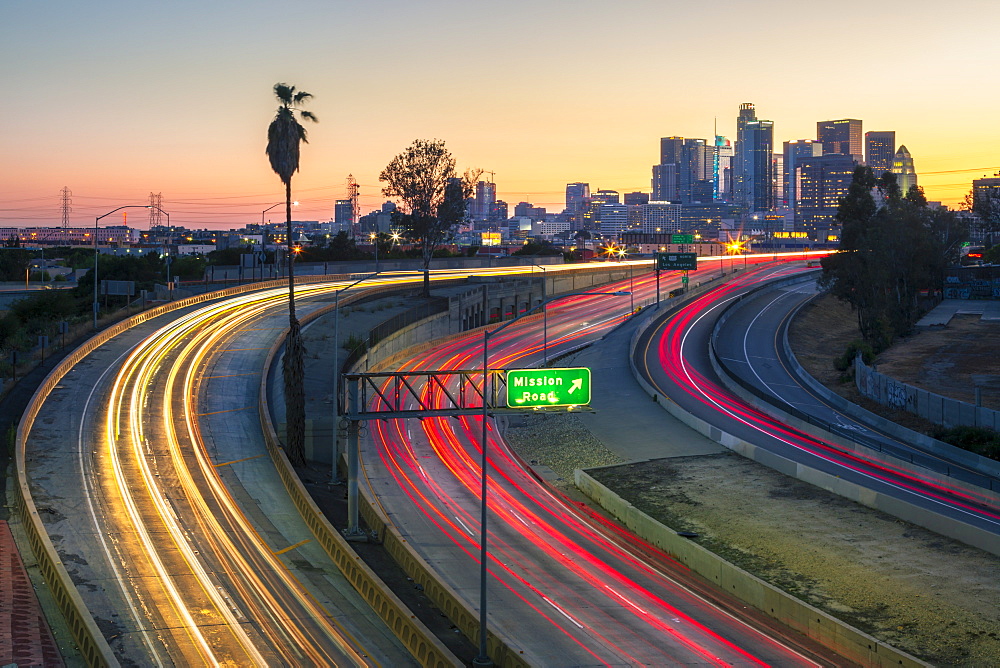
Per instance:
{"type": "Point", "coordinates": [294, 366]}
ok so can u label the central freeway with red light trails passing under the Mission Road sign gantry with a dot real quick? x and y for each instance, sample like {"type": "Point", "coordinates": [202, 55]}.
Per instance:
{"type": "Point", "coordinates": [566, 587]}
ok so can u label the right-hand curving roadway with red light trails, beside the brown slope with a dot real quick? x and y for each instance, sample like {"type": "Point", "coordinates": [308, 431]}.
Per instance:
{"type": "Point", "coordinates": [673, 357]}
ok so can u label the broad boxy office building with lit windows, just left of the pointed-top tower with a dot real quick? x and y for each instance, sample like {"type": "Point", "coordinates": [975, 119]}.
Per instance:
{"type": "Point", "coordinates": [820, 182]}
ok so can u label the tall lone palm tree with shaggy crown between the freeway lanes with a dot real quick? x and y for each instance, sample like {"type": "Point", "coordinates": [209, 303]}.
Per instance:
{"type": "Point", "coordinates": [284, 137]}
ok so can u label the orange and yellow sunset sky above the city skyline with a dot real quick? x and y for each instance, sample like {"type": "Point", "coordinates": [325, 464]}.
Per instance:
{"type": "Point", "coordinates": [116, 99]}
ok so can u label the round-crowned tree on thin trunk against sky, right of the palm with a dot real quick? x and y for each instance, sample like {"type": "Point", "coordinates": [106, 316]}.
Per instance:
{"type": "Point", "coordinates": [433, 196]}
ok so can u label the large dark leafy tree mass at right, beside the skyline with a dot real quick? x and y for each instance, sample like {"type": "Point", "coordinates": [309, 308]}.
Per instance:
{"type": "Point", "coordinates": [892, 247]}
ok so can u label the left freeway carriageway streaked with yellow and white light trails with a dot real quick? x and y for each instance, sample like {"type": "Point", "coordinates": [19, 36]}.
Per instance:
{"type": "Point", "coordinates": [171, 516]}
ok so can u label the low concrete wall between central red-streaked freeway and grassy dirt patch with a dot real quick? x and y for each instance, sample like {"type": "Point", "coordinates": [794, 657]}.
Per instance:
{"type": "Point", "coordinates": [816, 624]}
